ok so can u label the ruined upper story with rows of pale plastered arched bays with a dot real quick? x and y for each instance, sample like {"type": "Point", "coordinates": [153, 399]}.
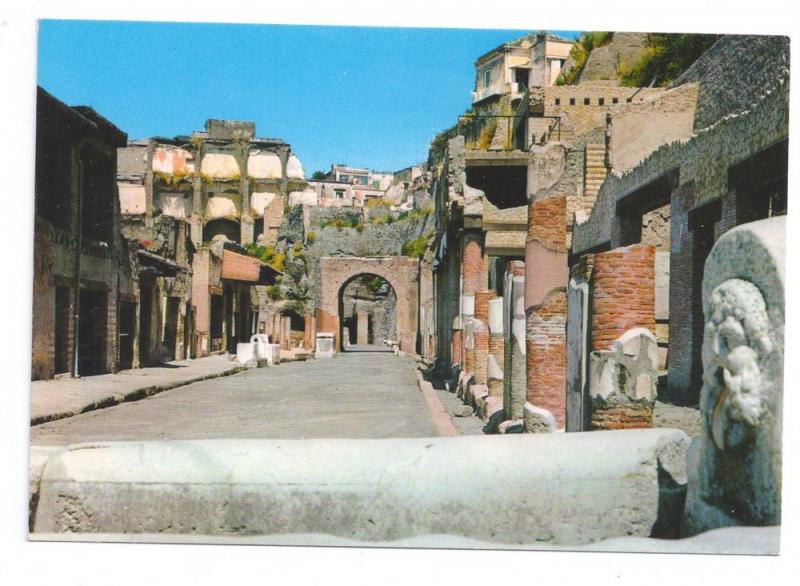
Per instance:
{"type": "Point", "coordinates": [222, 172]}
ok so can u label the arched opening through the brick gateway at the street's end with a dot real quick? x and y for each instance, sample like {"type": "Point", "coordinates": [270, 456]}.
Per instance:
{"type": "Point", "coordinates": [367, 312]}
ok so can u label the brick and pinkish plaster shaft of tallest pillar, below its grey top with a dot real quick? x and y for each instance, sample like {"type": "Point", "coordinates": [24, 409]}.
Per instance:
{"type": "Point", "coordinates": [546, 276]}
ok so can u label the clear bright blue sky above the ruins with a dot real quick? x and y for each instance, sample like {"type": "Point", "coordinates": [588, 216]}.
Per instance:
{"type": "Point", "coordinates": [363, 96]}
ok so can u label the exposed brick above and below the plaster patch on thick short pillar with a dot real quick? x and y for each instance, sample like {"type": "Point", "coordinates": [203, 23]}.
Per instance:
{"type": "Point", "coordinates": [623, 297]}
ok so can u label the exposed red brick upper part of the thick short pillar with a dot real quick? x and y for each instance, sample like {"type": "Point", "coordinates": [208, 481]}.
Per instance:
{"type": "Point", "coordinates": [623, 293]}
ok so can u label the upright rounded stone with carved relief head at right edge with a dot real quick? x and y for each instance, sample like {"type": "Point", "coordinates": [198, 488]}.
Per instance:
{"type": "Point", "coordinates": [735, 464]}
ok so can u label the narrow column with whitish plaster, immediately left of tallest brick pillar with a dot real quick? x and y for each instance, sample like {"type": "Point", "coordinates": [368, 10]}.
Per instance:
{"type": "Point", "coordinates": [514, 377]}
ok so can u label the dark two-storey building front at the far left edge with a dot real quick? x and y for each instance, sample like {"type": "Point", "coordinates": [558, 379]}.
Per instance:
{"type": "Point", "coordinates": [82, 272]}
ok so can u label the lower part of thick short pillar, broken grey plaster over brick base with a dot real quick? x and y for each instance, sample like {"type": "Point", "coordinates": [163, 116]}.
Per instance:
{"type": "Point", "coordinates": [622, 382]}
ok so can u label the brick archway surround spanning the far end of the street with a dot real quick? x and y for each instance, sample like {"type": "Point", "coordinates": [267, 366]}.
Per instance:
{"type": "Point", "coordinates": [402, 274]}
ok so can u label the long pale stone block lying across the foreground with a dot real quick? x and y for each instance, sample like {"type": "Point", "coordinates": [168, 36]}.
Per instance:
{"type": "Point", "coordinates": [560, 489]}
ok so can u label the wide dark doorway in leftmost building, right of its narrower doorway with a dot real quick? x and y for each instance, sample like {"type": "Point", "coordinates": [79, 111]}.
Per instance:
{"type": "Point", "coordinates": [92, 332]}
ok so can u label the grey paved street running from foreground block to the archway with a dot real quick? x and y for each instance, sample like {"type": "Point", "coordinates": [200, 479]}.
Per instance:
{"type": "Point", "coordinates": [356, 395]}
